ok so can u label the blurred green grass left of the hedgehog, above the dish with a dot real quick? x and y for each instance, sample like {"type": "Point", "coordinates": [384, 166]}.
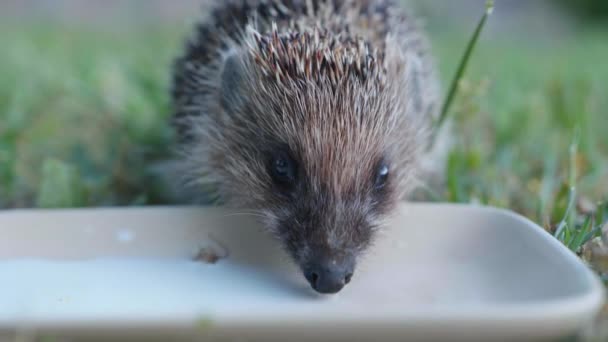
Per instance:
{"type": "Point", "coordinates": [83, 114]}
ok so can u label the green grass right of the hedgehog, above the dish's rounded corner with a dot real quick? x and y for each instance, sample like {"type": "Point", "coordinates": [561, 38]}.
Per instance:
{"type": "Point", "coordinates": [531, 127]}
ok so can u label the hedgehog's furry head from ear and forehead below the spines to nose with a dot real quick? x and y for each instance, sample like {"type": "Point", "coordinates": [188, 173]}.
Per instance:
{"type": "Point", "coordinates": [321, 162]}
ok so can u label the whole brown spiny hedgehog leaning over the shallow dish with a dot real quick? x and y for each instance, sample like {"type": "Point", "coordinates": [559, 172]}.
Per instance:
{"type": "Point", "coordinates": [314, 116]}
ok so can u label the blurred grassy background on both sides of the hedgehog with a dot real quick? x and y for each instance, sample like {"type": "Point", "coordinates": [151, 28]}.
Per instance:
{"type": "Point", "coordinates": [84, 105]}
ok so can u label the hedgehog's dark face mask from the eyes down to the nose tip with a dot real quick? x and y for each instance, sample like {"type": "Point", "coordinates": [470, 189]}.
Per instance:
{"type": "Point", "coordinates": [324, 224]}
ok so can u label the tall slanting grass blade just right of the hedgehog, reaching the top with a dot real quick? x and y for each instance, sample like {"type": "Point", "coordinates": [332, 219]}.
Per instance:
{"type": "Point", "coordinates": [463, 65]}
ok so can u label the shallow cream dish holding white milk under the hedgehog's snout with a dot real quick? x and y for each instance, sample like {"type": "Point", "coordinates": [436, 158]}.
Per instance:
{"type": "Point", "coordinates": [438, 272]}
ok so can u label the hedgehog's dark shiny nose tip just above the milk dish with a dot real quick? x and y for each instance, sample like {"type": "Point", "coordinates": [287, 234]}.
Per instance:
{"type": "Point", "coordinates": [329, 275]}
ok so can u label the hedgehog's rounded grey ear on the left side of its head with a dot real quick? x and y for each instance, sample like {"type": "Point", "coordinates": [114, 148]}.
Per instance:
{"type": "Point", "coordinates": [232, 82]}
